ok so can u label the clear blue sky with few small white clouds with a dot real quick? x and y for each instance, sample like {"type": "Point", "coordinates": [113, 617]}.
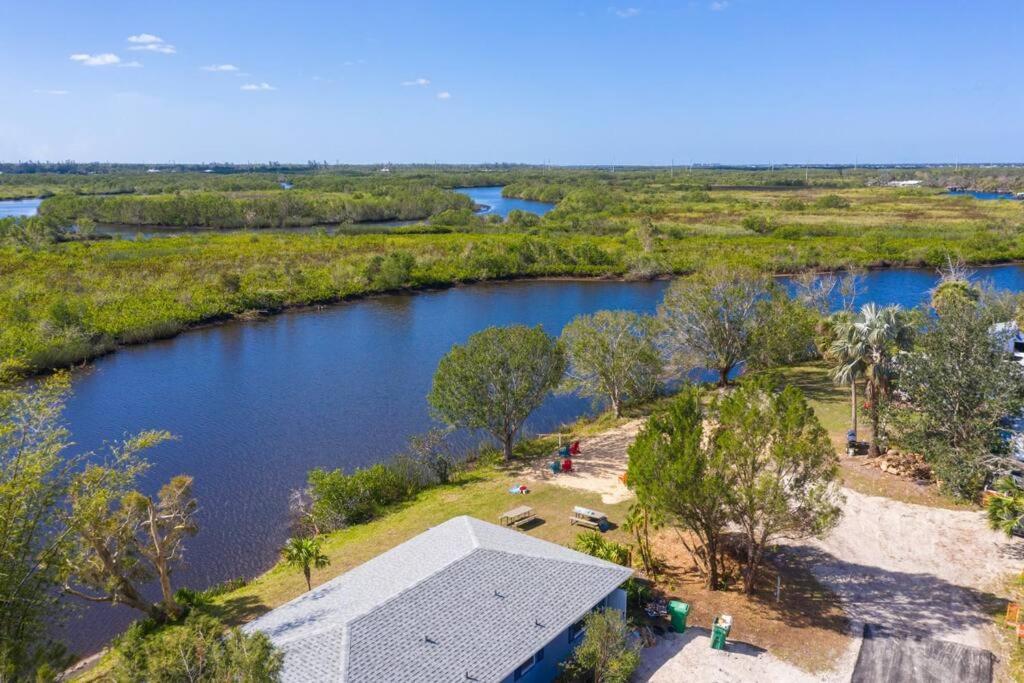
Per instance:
{"type": "Point", "coordinates": [727, 81]}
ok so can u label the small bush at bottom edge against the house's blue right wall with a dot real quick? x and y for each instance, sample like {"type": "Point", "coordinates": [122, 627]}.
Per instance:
{"type": "Point", "coordinates": [606, 656]}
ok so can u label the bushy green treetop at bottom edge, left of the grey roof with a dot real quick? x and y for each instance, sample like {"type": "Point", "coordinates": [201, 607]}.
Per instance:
{"type": "Point", "coordinates": [200, 650]}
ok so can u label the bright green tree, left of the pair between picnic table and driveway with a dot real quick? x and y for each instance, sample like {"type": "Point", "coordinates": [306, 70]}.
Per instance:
{"type": "Point", "coordinates": [678, 471]}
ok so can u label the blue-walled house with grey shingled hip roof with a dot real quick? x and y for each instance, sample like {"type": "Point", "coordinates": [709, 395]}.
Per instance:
{"type": "Point", "coordinates": [464, 602]}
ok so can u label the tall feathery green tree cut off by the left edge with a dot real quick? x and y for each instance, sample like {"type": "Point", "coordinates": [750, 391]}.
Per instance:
{"type": "Point", "coordinates": [35, 474]}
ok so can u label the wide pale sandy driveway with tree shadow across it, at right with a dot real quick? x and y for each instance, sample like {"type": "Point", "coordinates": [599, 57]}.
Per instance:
{"type": "Point", "coordinates": [915, 570]}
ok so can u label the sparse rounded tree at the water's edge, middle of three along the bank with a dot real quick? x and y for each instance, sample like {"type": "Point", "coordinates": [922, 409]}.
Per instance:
{"type": "Point", "coordinates": [613, 356]}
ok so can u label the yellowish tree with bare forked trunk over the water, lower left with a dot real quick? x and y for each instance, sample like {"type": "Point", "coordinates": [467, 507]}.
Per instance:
{"type": "Point", "coordinates": [121, 538]}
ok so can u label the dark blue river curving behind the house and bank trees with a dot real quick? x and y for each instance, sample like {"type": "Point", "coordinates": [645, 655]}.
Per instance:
{"type": "Point", "coordinates": [258, 405]}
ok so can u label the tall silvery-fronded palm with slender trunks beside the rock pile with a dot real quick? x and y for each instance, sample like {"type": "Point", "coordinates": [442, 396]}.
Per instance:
{"type": "Point", "coordinates": [865, 347]}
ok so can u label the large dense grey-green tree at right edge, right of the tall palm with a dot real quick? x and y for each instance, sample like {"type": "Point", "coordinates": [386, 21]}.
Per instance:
{"type": "Point", "coordinates": [958, 386]}
